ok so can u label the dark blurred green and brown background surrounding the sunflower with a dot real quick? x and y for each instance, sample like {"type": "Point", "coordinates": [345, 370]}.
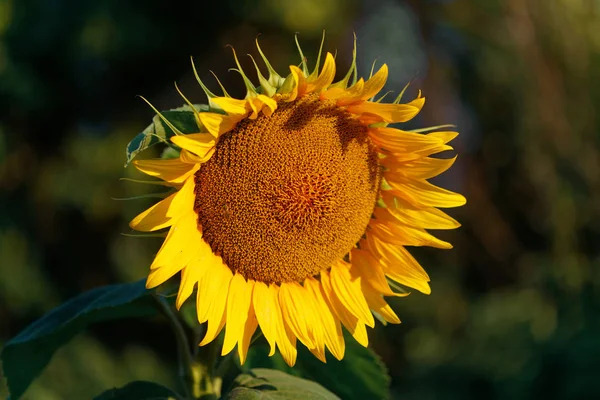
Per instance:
{"type": "Point", "coordinates": [514, 308]}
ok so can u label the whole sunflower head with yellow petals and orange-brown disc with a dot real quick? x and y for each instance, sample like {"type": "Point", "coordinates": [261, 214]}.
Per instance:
{"type": "Point", "coordinates": [294, 206]}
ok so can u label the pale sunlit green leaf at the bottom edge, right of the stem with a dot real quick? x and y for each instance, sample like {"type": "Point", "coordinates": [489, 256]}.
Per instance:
{"type": "Point", "coordinates": [269, 384]}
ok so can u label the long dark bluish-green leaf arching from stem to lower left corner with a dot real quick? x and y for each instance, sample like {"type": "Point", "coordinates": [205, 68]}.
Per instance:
{"type": "Point", "coordinates": [26, 355]}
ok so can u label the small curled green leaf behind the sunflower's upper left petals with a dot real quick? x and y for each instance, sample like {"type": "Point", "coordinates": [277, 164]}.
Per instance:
{"type": "Point", "coordinates": [159, 132]}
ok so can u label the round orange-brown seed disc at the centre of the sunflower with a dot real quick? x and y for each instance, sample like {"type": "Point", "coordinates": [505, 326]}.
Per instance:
{"type": "Point", "coordinates": [285, 196]}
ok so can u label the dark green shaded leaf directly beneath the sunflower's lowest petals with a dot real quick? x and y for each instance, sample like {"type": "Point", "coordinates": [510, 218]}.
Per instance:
{"type": "Point", "coordinates": [359, 375]}
